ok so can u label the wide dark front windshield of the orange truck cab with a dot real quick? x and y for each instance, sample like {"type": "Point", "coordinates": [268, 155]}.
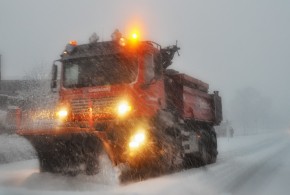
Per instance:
{"type": "Point", "coordinates": [99, 71]}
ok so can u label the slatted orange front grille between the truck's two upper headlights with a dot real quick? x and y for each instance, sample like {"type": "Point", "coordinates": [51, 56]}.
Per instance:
{"type": "Point", "coordinates": [99, 106]}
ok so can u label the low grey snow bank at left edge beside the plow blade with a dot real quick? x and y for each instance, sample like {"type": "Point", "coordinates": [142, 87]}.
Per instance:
{"type": "Point", "coordinates": [15, 148]}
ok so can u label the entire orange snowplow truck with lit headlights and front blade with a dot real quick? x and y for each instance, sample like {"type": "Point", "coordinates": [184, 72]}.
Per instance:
{"type": "Point", "coordinates": [118, 97]}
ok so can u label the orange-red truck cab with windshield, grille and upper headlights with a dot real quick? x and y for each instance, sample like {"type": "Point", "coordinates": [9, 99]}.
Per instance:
{"type": "Point", "coordinates": [109, 81]}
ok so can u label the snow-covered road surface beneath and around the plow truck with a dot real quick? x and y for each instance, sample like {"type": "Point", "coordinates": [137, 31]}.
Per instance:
{"type": "Point", "coordinates": [258, 164]}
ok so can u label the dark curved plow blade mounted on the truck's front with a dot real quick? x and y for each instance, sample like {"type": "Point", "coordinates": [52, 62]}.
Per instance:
{"type": "Point", "coordinates": [66, 150]}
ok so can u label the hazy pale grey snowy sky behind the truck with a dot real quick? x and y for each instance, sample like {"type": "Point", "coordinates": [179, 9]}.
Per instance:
{"type": "Point", "coordinates": [241, 48]}
